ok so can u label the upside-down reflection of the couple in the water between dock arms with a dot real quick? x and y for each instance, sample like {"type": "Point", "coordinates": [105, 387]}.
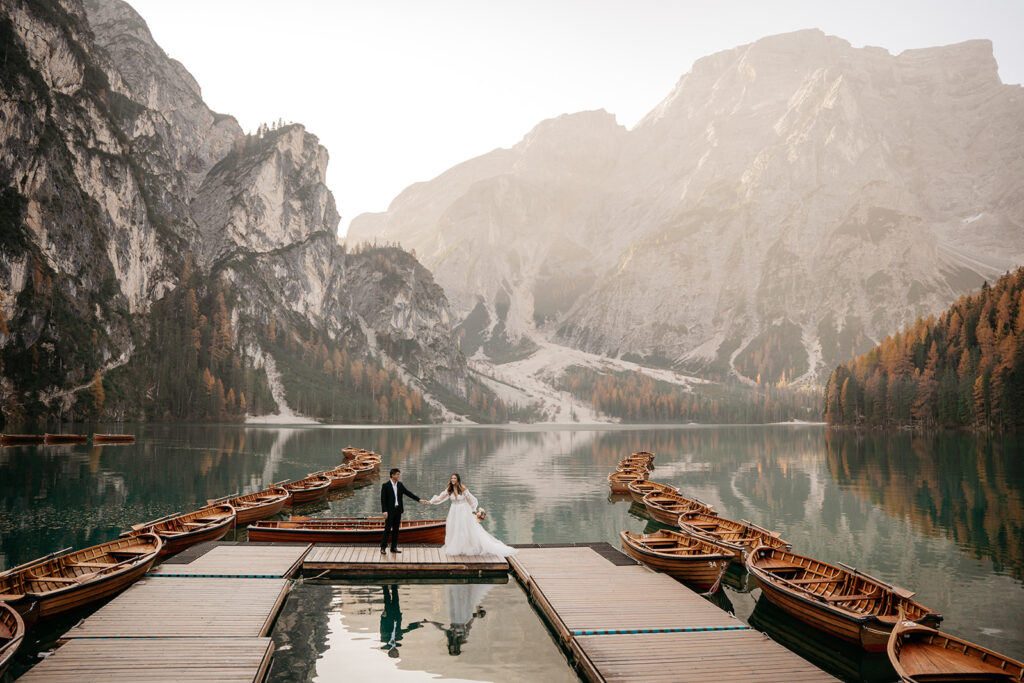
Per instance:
{"type": "Point", "coordinates": [464, 609]}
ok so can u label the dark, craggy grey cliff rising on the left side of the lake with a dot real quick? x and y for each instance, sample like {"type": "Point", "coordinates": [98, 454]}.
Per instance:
{"type": "Point", "coordinates": [131, 210]}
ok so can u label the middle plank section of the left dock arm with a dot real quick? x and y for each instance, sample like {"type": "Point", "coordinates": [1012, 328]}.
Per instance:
{"type": "Point", "coordinates": [187, 608]}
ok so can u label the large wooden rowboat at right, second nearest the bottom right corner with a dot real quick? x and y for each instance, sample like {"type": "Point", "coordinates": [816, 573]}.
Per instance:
{"type": "Point", "coordinates": [839, 601]}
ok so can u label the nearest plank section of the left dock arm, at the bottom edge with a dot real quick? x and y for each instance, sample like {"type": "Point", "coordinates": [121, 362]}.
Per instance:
{"type": "Point", "coordinates": [194, 660]}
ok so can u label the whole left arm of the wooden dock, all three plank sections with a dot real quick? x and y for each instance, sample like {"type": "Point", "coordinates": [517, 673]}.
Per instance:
{"type": "Point", "coordinates": [204, 616]}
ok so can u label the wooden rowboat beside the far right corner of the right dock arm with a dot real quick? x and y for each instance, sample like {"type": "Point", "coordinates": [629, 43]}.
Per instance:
{"type": "Point", "coordinates": [684, 558]}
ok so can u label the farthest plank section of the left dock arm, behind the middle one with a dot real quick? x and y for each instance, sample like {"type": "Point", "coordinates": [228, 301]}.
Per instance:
{"type": "Point", "coordinates": [240, 562]}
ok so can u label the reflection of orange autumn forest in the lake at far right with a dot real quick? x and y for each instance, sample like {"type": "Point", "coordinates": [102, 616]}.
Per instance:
{"type": "Point", "coordinates": [970, 490]}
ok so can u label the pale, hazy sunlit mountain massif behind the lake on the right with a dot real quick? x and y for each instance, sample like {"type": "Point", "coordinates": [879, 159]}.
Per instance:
{"type": "Point", "coordinates": [791, 202]}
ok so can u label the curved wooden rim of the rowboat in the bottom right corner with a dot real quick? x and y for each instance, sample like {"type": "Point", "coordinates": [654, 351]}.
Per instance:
{"type": "Point", "coordinates": [904, 631]}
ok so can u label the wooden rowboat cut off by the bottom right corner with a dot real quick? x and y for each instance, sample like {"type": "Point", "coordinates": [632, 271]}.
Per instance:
{"type": "Point", "coordinates": [920, 654]}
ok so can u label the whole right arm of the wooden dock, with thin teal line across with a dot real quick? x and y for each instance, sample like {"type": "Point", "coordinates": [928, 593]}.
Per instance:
{"type": "Point", "coordinates": [622, 622]}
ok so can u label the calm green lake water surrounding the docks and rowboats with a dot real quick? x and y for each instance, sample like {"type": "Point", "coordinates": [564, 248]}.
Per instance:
{"type": "Point", "coordinates": [942, 516]}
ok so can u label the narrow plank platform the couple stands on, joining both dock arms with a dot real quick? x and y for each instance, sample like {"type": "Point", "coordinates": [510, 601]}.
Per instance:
{"type": "Point", "coordinates": [366, 561]}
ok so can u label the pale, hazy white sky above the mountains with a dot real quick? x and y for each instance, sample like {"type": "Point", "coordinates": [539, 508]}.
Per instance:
{"type": "Point", "coordinates": [399, 92]}
